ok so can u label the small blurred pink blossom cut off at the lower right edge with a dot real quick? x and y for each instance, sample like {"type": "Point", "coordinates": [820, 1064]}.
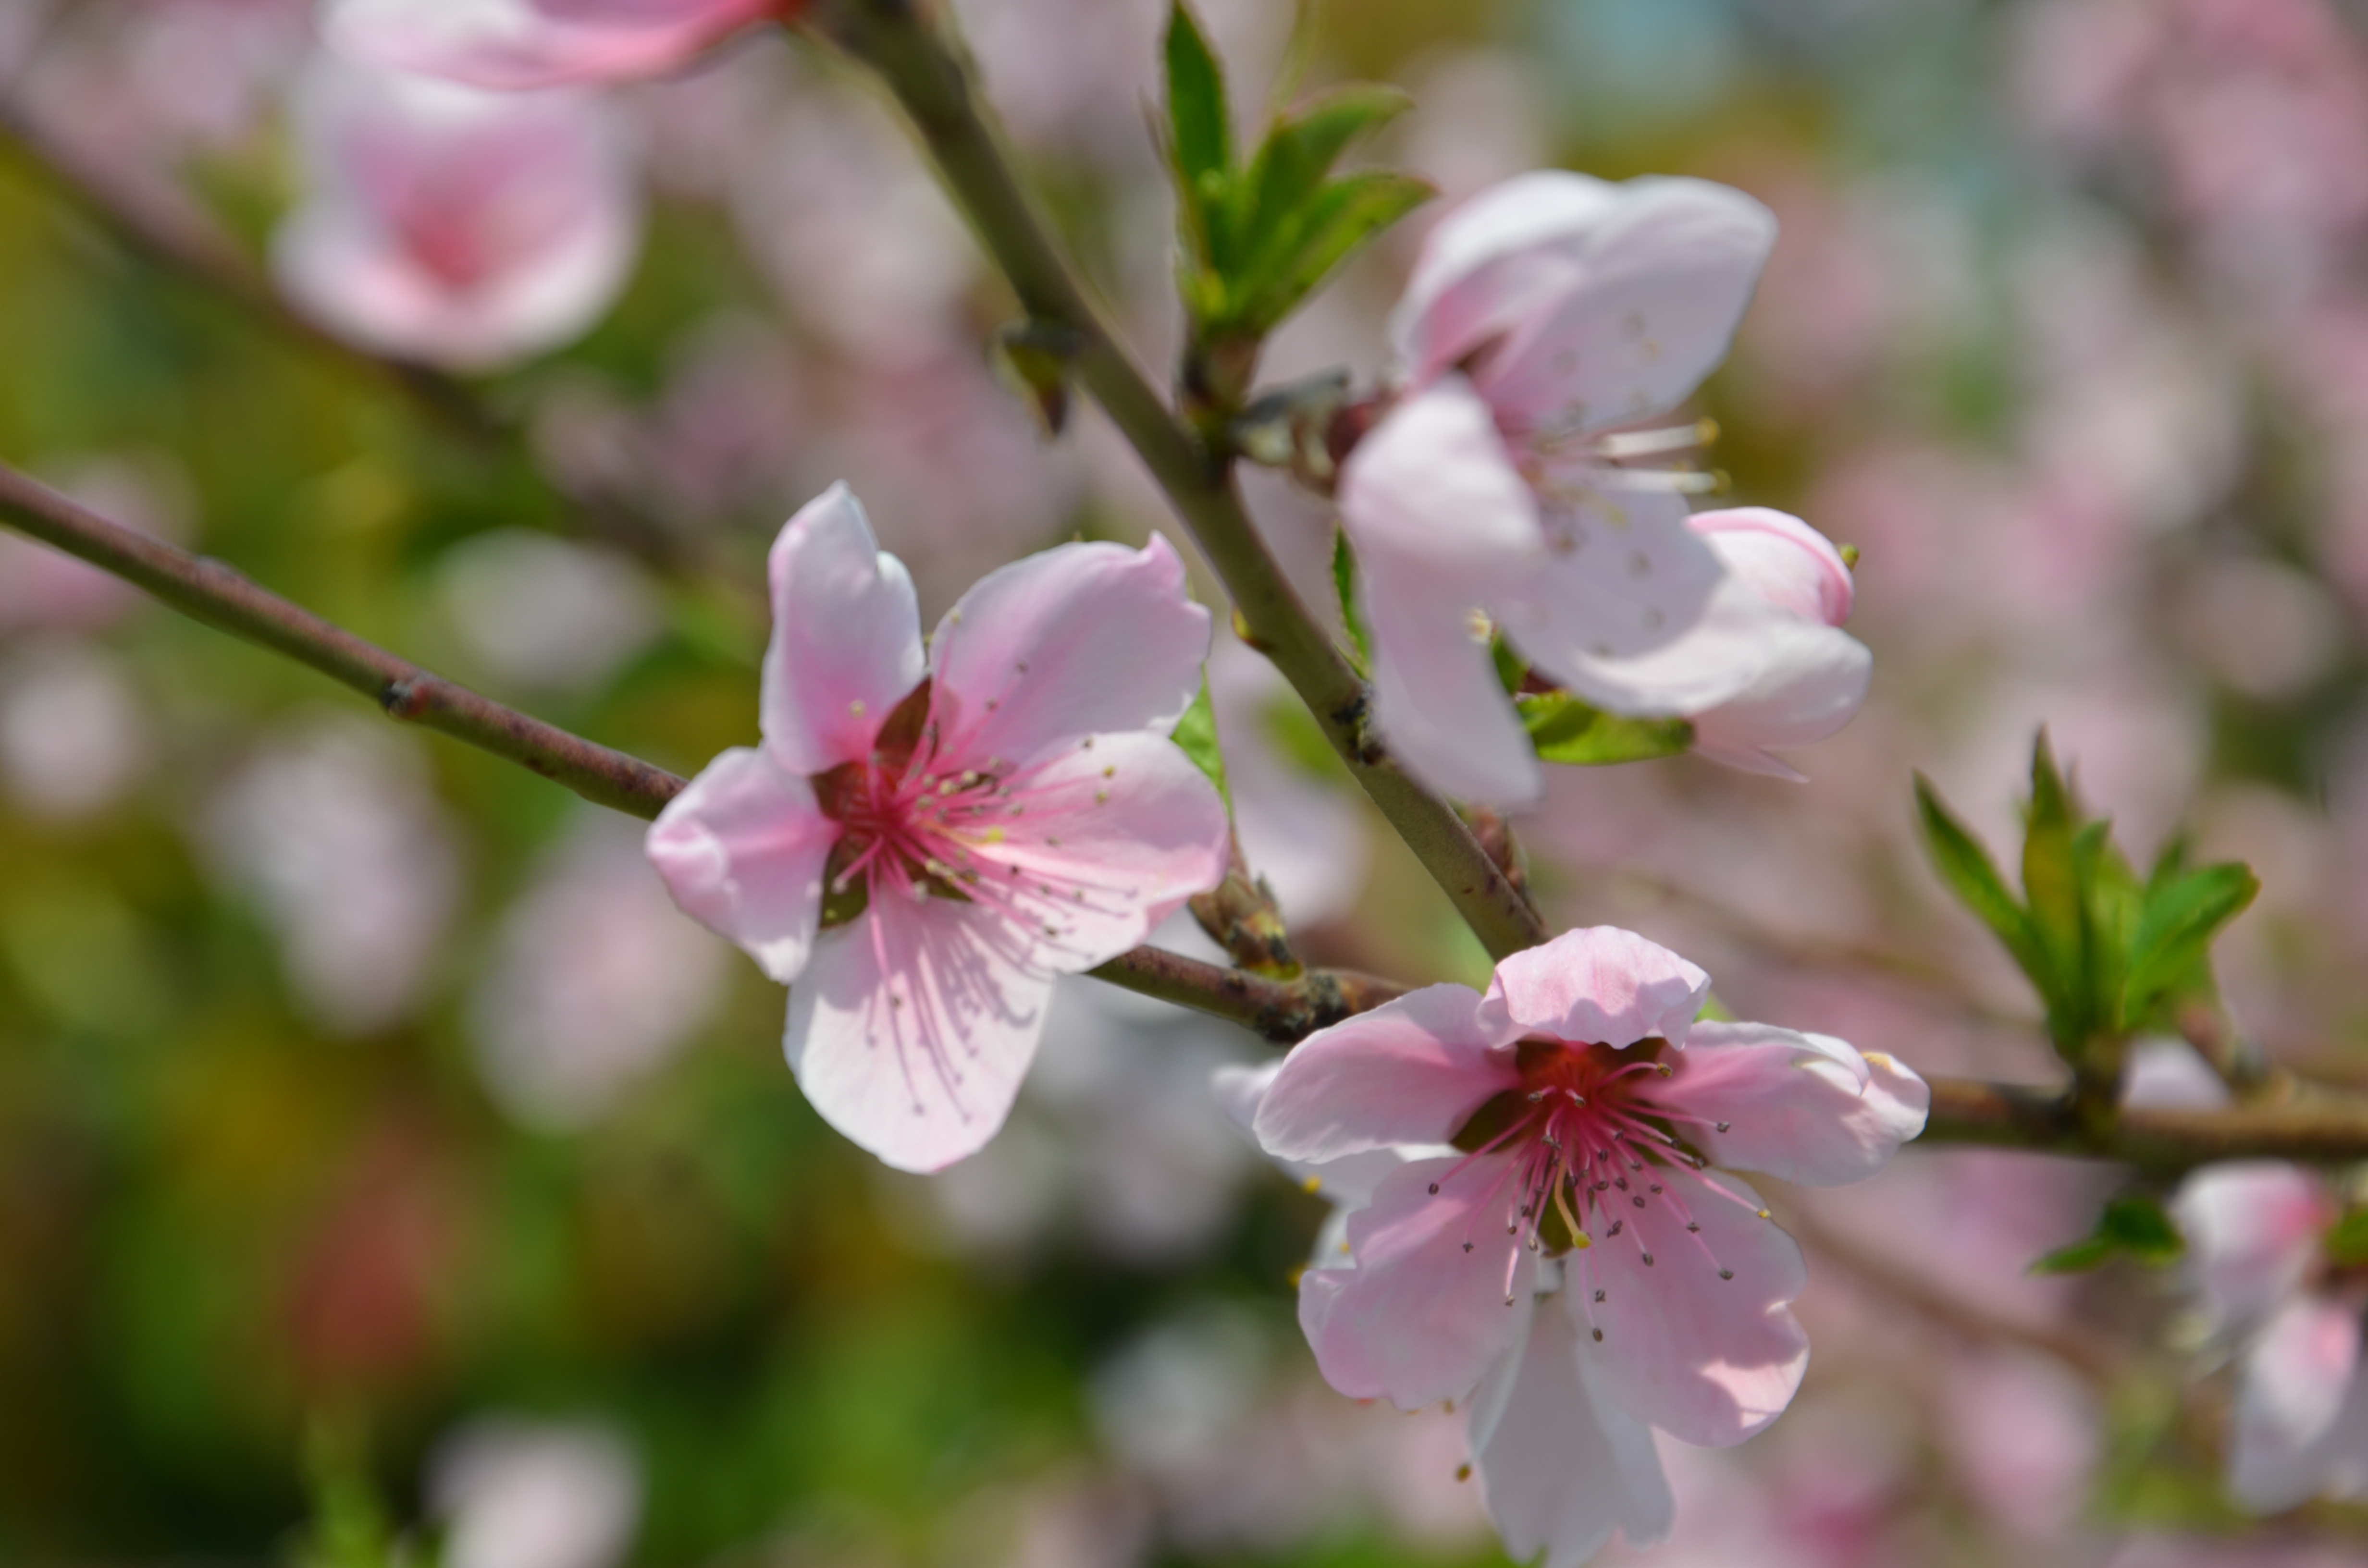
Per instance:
{"type": "Point", "coordinates": [2256, 1259]}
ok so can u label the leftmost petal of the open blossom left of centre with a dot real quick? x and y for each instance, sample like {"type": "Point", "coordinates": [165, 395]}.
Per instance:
{"type": "Point", "coordinates": [742, 852]}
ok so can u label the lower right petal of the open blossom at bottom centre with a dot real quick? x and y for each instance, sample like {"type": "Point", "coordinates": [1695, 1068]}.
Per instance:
{"type": "Point", "coordinates": [1704, 1358]}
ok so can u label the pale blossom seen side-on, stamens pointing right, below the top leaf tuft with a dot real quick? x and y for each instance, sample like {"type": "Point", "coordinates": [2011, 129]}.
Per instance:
{"type": "Point", "coordinates": [1495, 494]}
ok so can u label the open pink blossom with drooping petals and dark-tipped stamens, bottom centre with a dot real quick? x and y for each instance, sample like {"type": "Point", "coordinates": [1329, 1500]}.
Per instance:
{"type": "Point", "coordinates": [1578, 1266]}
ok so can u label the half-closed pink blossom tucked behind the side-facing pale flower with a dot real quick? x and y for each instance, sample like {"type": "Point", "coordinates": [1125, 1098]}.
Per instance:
{"type": "Point", "coordinates": [1815, 676]}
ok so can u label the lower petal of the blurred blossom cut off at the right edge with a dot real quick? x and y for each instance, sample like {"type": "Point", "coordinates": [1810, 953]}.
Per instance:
{"type": "Point", "coordinates": [2293, 1392]}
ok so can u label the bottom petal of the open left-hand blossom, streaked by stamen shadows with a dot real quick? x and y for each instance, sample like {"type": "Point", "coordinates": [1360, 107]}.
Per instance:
{"type": "Point", "coordinates": [913, 1027]}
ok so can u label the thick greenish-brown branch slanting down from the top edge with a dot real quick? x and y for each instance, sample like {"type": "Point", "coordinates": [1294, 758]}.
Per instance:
{"type": "Point", "coordinates": [937, 94]}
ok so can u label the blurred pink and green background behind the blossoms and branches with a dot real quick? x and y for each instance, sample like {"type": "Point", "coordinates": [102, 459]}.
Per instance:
{"type": "Point", "coordinates": [387, 1169]}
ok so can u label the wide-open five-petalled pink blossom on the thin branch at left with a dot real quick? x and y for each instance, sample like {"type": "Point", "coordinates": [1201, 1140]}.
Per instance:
{"type": "Point", "coordinates": [1003, 809]}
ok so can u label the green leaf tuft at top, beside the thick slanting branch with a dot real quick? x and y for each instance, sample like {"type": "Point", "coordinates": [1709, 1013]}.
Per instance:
{"type": "Point", "coordinates": [1261, 236]}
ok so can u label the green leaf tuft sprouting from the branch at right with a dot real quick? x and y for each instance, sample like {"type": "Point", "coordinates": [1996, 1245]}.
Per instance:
{"type": "Point", "coordinates": [2106, 951]}
